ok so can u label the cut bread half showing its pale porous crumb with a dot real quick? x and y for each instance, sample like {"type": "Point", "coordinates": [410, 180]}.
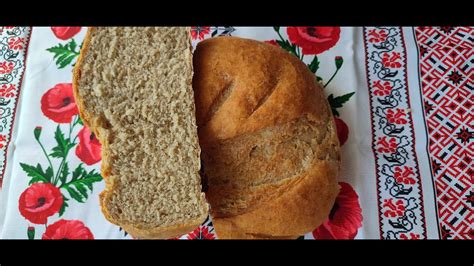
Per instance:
{"type": "Point", "coordinates": [133, 90]}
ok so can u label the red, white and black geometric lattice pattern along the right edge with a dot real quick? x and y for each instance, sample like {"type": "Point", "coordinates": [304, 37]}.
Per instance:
{"type": "Point", "coordinates": [446, 69]}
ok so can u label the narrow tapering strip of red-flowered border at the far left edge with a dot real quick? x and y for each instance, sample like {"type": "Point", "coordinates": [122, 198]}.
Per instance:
{"type": "Point", "coordinates": [13, 48]}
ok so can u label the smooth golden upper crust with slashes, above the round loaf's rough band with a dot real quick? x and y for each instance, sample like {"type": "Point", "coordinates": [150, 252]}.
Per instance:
{"type": "Point", "coordinates": [273, 87]}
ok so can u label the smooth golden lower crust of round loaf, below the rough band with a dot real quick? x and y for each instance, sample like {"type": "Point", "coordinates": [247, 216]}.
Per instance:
{"type": "Point", "coordinates": [299, 210]}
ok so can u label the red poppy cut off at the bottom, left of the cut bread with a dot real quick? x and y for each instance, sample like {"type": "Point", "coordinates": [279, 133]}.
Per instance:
{"type": "Point", "coordinates": [68, 229]}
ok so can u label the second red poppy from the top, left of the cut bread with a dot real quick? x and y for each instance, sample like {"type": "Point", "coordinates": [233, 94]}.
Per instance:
{"type": "Point", "coordinates": [58, 103]}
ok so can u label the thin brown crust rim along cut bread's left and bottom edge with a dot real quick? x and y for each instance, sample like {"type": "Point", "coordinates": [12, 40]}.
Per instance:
{"type": "Point", "coordinates": [95, 125]}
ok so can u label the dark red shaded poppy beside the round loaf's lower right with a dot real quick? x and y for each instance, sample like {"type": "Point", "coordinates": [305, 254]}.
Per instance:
{"type": "Point", "coordinates": [345, 217]}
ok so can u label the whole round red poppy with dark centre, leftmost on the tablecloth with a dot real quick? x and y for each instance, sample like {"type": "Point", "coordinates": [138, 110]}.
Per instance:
{"type": "Point", "coordinates": [40, 201]}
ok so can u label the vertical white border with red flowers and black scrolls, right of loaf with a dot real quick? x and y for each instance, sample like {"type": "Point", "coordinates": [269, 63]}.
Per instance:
{"type": "Point", "coordinates": [399, 191]}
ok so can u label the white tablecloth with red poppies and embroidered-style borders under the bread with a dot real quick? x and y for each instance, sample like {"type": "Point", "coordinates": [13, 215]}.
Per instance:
{"type": "Point", "coordinates": [402, 100]}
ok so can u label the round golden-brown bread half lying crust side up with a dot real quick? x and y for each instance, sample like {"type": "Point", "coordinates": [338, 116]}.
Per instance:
{"type": "Point", "coordinates": [269, 146]}
